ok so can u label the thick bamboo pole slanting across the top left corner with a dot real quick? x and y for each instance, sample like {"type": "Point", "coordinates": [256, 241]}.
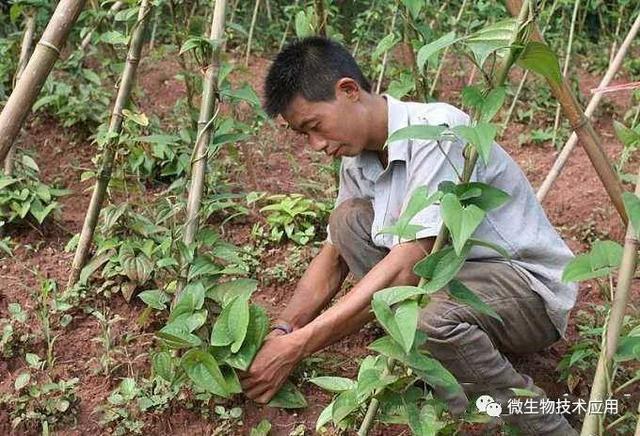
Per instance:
{"type": "Point", "coordinates": [35, 74]}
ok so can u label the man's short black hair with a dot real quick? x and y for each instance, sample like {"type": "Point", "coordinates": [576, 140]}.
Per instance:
{"type": "Point", "coordinates": [311, 67]}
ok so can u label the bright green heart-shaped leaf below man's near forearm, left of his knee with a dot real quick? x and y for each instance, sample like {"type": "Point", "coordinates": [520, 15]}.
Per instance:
{"type": "Point", "coordinates": [402, 324]}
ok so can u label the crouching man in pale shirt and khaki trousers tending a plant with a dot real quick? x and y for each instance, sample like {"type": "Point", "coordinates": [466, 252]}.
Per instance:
{"type": "Point", "coordinates": [319, 89]}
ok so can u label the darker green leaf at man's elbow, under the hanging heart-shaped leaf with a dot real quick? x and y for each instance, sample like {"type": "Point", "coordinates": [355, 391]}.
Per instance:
{"type": "Point", "coordinates": [440, 267]}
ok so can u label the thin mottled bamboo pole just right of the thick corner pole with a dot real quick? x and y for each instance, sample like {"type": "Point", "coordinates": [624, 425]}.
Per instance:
{"type": "Point", "coordinates": [115, 126]}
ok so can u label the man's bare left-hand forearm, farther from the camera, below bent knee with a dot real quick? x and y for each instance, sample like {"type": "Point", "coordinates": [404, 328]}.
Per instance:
{"type": "Point", "coordinates": [319, 284]}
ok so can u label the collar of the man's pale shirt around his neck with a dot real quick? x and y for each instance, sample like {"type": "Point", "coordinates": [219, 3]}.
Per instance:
{"type": "Point", "coordinates": [397, 118]}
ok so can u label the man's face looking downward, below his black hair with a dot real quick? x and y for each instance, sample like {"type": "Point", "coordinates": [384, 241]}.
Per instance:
{"type": "Point", "coordinates": [336, 127]}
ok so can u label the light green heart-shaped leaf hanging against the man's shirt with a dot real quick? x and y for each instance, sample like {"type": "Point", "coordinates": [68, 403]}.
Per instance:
{"type": "Point", "coordinates": [461, 221]}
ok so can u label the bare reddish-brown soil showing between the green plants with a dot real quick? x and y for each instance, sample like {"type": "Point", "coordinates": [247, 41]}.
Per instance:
{"type": "Point", "coordinates": [275, 161]}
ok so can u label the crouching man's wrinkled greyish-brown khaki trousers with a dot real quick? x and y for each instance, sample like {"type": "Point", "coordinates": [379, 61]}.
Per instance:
{"type": "Point", "coordinates": [468, 343]}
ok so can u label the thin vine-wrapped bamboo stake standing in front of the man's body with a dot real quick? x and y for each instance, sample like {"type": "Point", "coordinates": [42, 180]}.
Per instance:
{"type": "Point", "coordinates": [470, 159]}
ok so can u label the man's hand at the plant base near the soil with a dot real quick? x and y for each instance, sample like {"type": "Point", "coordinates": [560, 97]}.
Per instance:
{"type": "Point", "coordinates": [276, 359]}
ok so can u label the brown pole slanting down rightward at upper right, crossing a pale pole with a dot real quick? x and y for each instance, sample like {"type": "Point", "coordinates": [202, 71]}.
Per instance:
{"type": "Point", "coordinates": [591, 141]}
